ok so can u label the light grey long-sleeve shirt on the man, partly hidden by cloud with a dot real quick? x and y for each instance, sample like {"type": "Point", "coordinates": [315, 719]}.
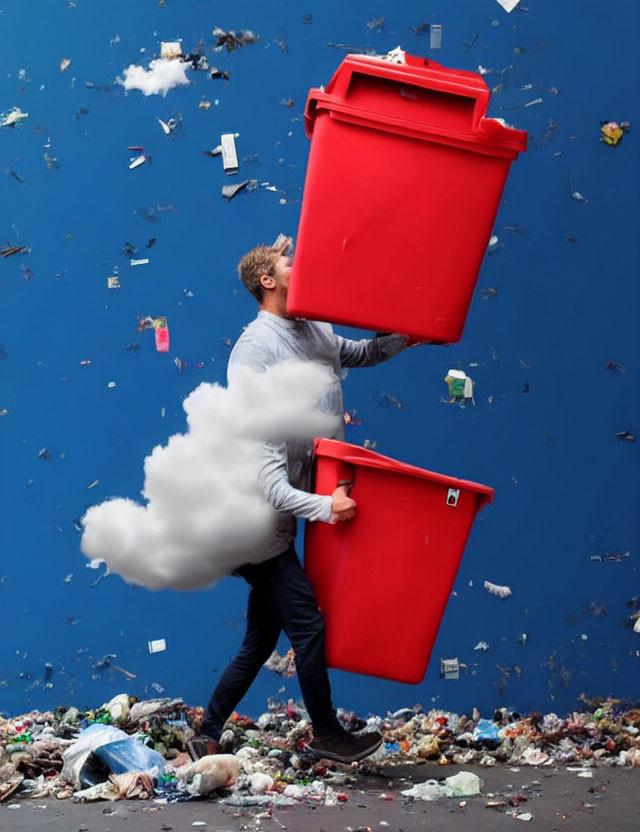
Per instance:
{"type": "Point", "coordinates": [285, 475]}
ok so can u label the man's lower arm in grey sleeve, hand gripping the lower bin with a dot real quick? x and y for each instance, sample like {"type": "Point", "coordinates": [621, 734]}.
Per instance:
{"type": "Point", "coordinates": [280, 494]}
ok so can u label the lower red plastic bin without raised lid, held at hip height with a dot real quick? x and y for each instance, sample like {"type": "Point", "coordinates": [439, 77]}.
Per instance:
{"type": "Point", "coordinates": [383, 579]}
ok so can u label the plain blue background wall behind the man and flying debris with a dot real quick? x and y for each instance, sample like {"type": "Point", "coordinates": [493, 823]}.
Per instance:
{"type": "Point", "coordinates": [566, 487]}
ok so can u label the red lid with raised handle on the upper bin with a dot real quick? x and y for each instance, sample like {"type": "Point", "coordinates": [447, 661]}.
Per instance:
{"type": "Point", "coordinates": [342, 100]}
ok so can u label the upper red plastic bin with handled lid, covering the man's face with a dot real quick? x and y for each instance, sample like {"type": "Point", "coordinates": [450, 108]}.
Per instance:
{"type": "Point", "coordinates": [403, 182]}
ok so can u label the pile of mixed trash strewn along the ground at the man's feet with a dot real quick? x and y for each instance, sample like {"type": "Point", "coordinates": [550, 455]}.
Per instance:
{"type": "Point", "coordinates": [137, 749]}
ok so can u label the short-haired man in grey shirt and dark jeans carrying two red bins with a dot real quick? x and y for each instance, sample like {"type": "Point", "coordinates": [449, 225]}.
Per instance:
{"type": "Point", "coordinates": [280, 596]}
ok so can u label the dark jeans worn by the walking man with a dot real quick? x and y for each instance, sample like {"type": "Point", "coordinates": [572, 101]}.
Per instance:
{"type": "Point", "coordinates": [280, 598]}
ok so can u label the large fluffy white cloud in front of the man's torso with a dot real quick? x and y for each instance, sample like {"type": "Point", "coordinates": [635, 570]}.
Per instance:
{"type": "Point", "coordinates": [205, 511]}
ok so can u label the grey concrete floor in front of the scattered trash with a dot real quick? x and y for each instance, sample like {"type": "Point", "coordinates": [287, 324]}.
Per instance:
{"type": "Point", "coordinates": [558, 803]}
